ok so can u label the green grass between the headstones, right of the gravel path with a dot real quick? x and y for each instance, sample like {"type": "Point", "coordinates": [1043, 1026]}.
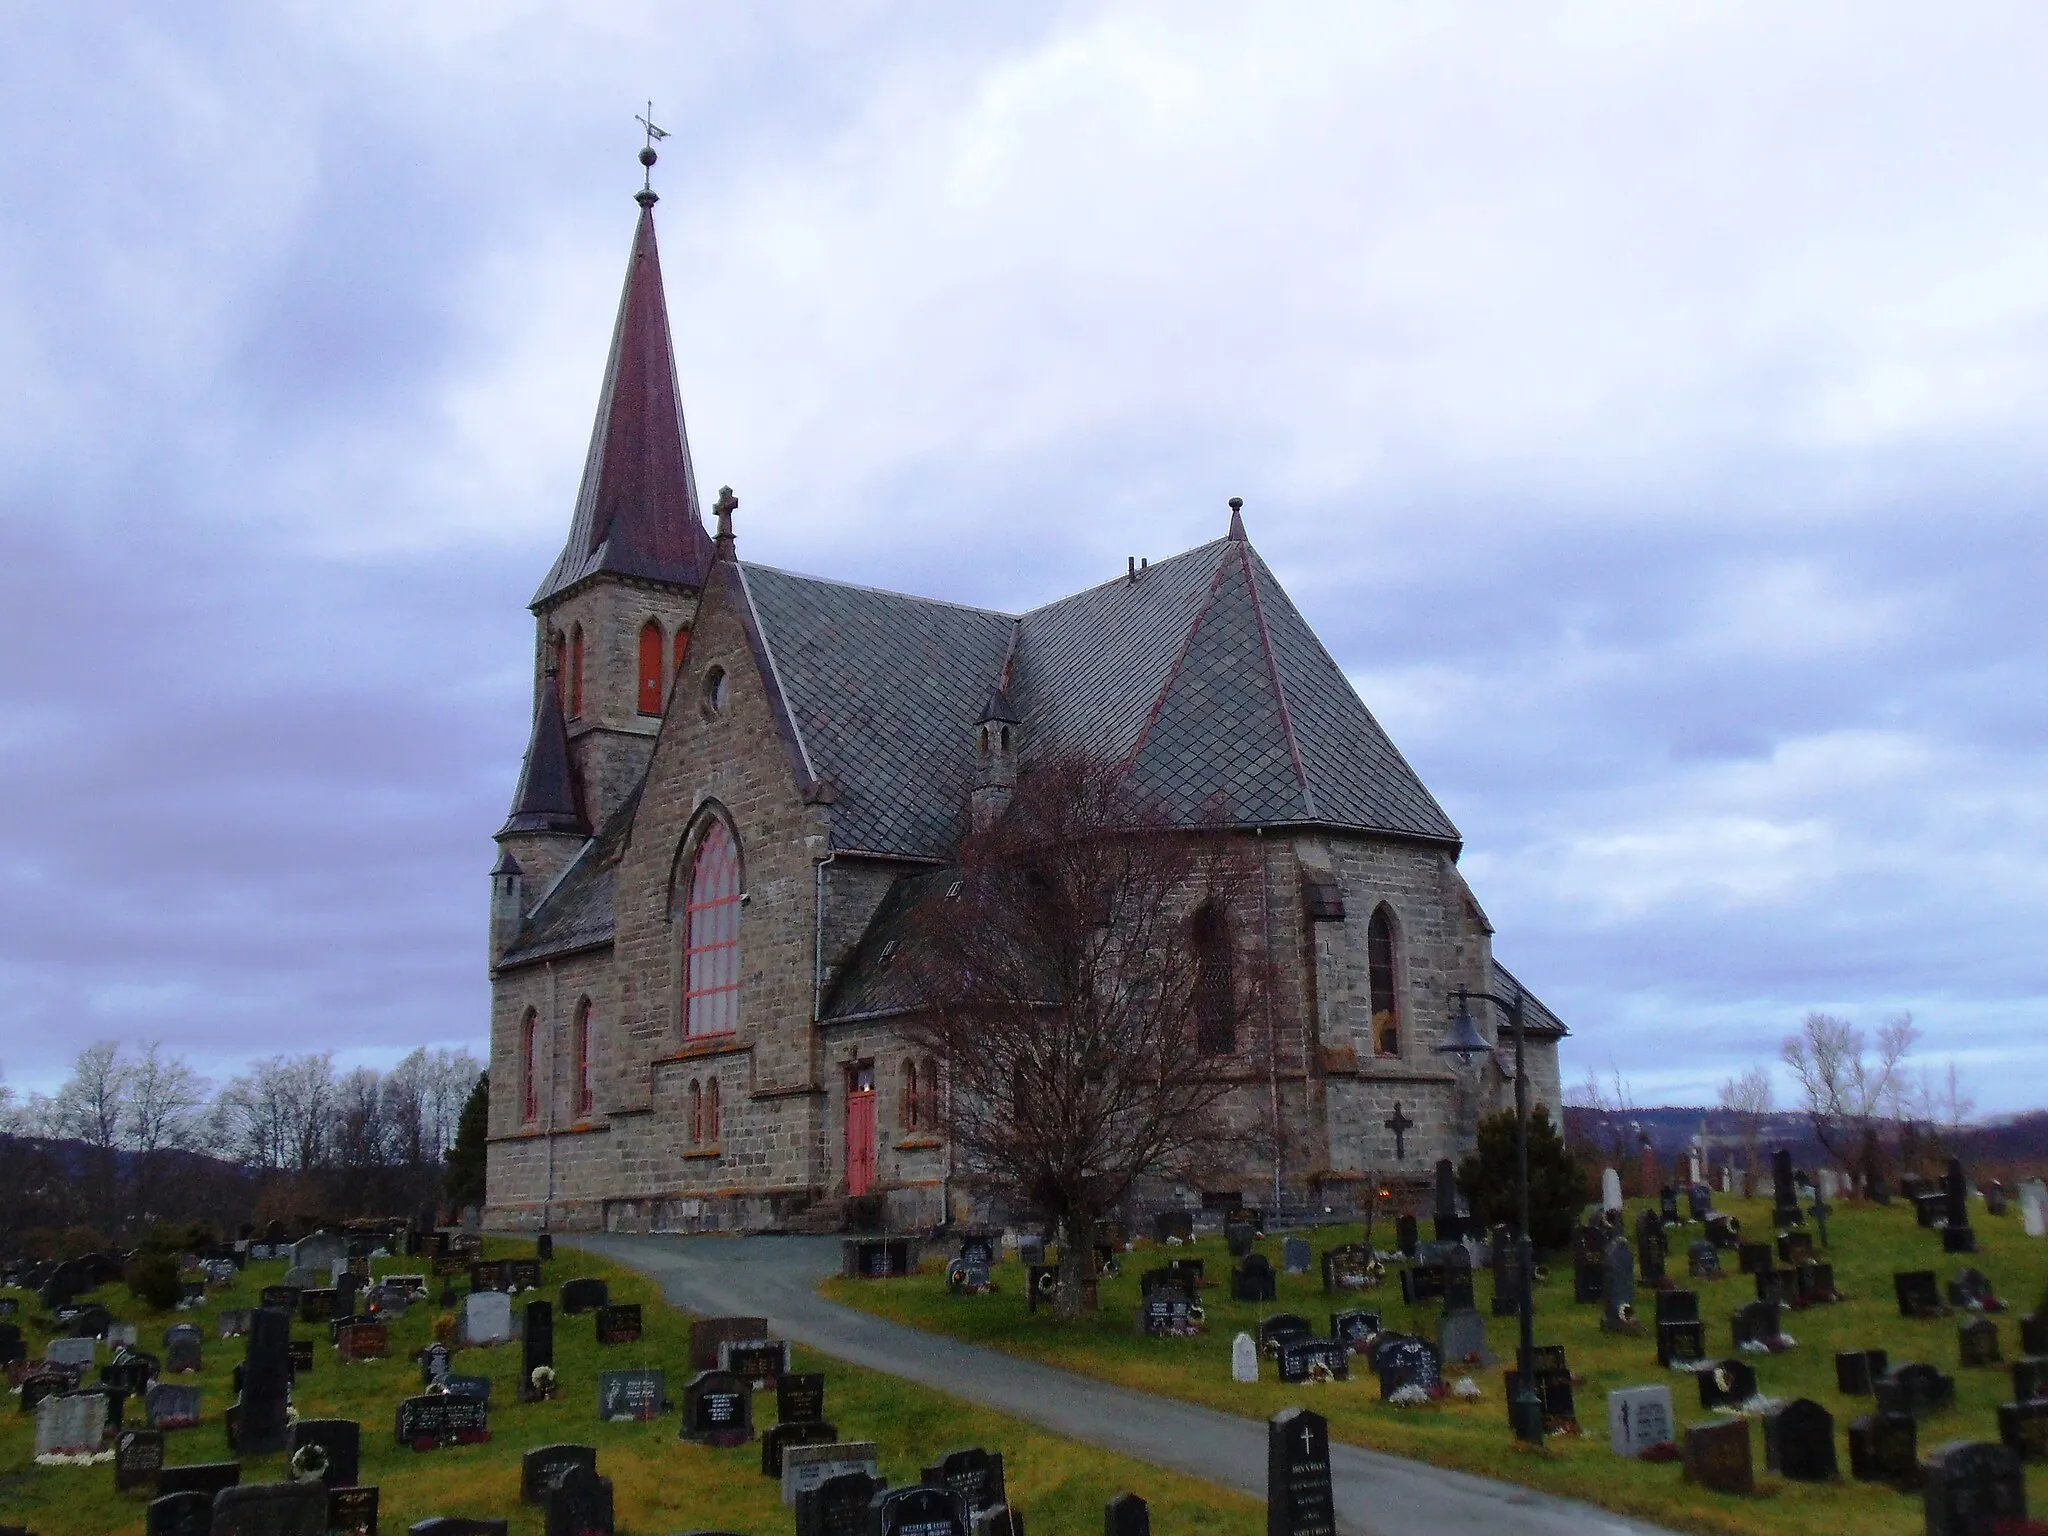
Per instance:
{"type": "Point", "coordinates": [1869, 1246]}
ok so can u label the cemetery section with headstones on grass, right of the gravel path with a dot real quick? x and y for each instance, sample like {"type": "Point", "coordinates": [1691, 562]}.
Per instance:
{"type": "Point", "coordinates": [1801, 1377]}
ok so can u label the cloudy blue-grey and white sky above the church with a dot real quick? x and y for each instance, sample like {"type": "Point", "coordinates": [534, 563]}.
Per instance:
{"type": "Point", "coordinates": [1646, 404]}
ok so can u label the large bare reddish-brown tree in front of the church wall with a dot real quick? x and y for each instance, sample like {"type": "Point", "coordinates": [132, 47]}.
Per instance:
{"type": "Point", "coordinates": [1086, 980]}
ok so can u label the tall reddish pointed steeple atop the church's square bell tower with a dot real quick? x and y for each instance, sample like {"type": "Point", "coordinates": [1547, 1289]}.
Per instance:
{"type": "Point", "coordinates": [638, 511]}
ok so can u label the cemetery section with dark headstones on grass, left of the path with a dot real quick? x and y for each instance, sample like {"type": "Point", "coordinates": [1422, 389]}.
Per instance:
{"type": "Point", "coordinates": [343, 1420]}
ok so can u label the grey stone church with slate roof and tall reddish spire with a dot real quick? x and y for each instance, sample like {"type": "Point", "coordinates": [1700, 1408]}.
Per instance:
{"type": "Point", "coordinates": [736, 771]}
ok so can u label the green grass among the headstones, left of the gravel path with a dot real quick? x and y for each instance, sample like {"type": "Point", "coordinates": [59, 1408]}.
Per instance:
{"type": "Point", "coordinates": [660, 1482]}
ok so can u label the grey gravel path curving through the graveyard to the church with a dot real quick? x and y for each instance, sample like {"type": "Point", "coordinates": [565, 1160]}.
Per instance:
{"type": "Point", "coordinates": [1377, 1494]}
